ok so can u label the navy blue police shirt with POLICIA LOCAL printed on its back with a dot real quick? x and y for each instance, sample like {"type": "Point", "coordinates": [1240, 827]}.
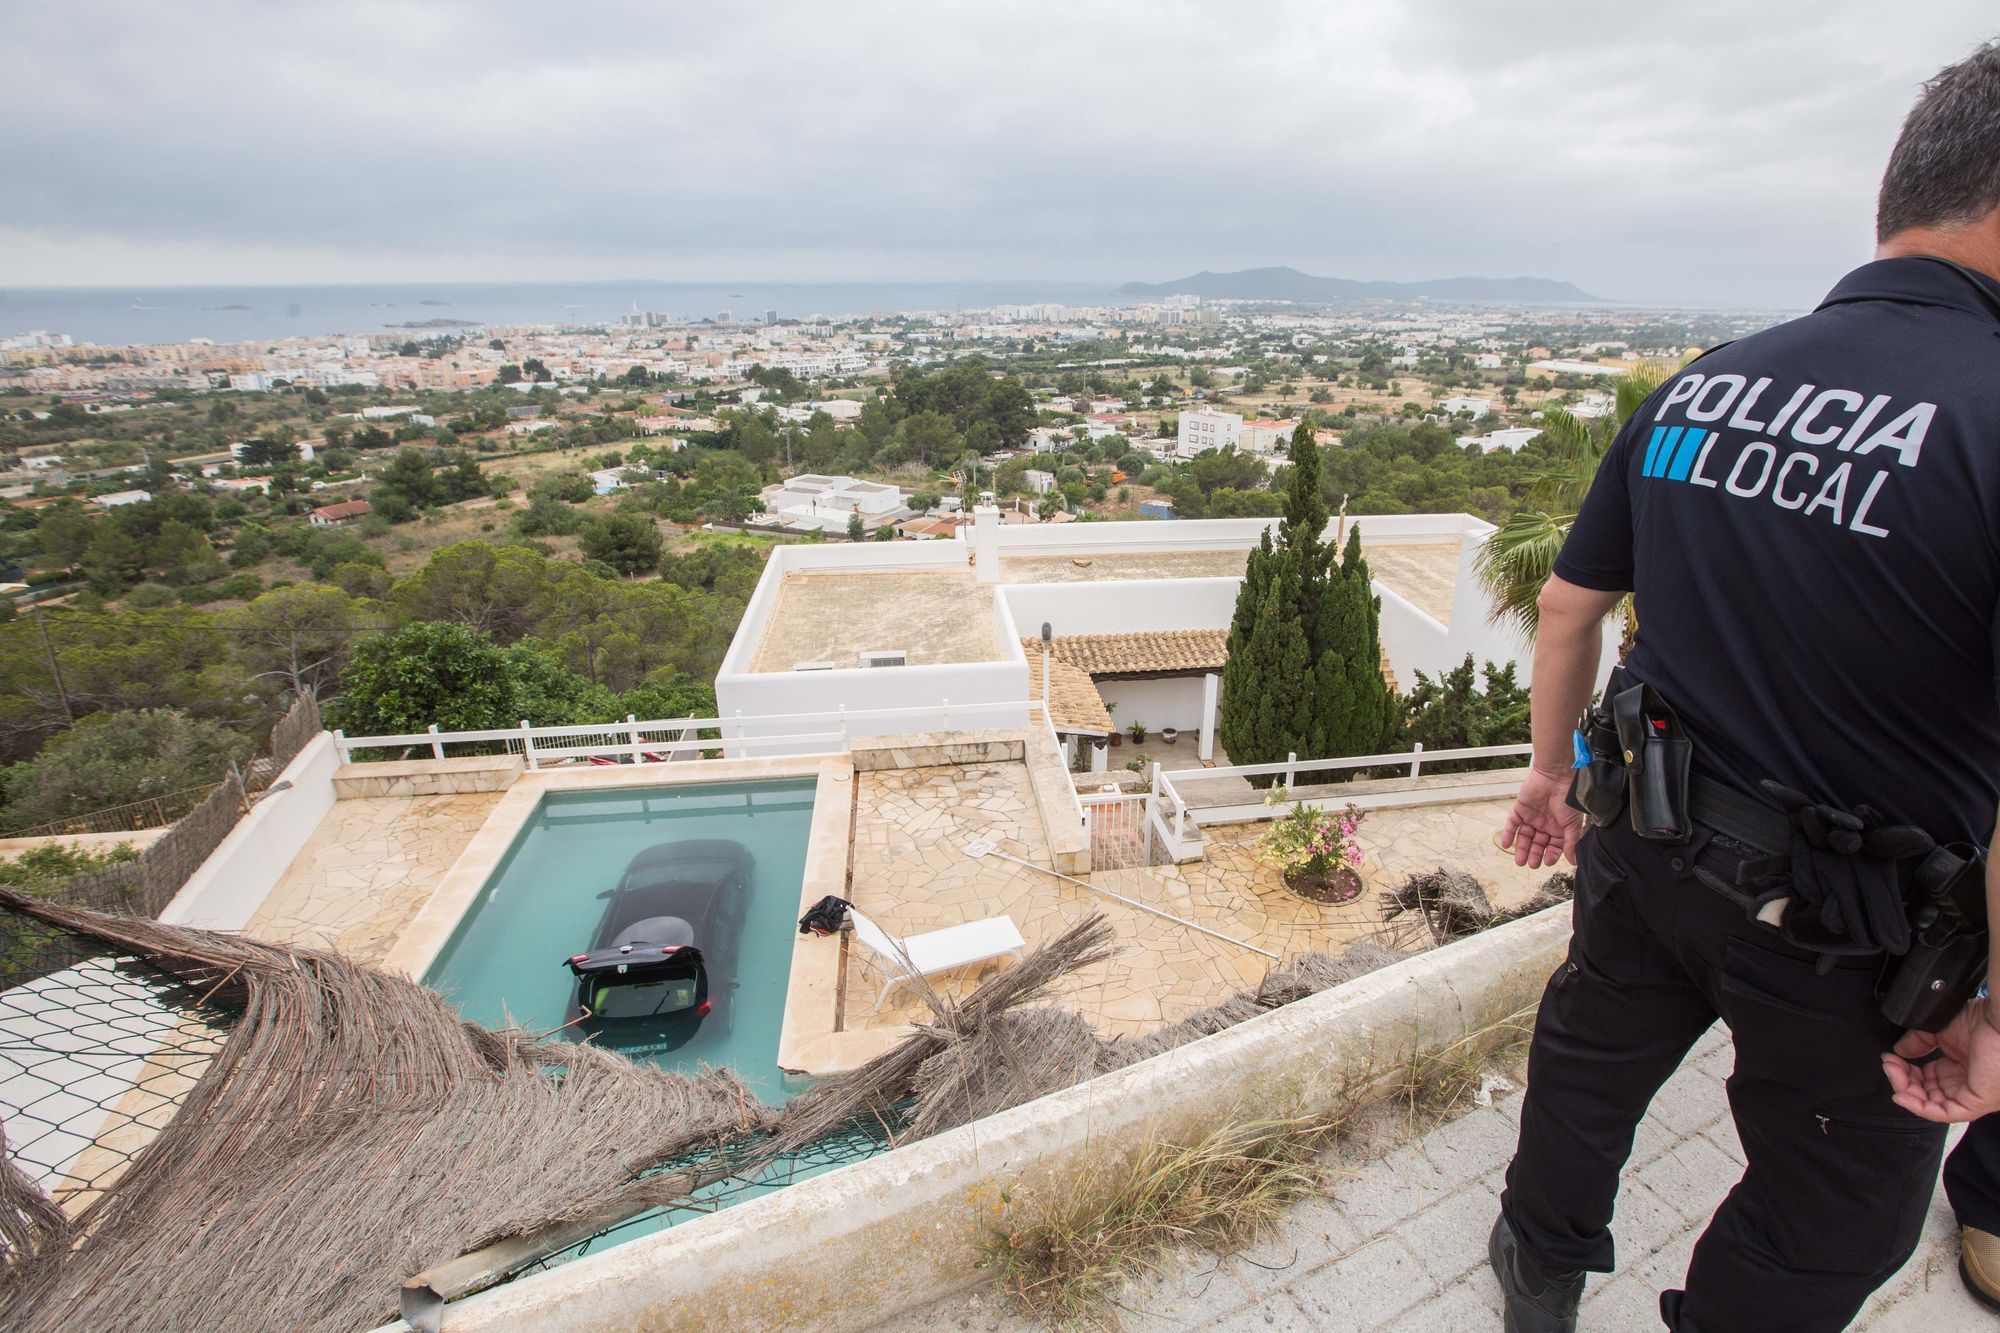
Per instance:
{"type": "Point", "coordinates": [1811, 525]}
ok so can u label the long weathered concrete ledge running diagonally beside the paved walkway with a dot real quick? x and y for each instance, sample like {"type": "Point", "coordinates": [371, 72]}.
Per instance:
{"type": "Point", "coordinates": [891, 1234]}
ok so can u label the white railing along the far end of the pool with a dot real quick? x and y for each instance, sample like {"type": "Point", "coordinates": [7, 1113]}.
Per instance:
{"type": "Point", "coordinates": [665, 740]}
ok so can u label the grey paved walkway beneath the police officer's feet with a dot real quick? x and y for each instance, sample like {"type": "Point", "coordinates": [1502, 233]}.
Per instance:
{"type": "Point", "coordinates": [1403, 1240]}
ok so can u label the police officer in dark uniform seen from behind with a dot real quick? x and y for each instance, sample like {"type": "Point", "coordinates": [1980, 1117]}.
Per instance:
{"type": "Point", "coordinates": [1811, 525]}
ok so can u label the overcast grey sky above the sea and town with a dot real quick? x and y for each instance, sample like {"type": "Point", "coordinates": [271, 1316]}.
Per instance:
{"type": "Point", "coordinates": [1723, 153]}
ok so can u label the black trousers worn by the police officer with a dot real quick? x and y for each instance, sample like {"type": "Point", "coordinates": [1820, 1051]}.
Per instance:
{"type": "Point", "coordinates": [1839, 1180]}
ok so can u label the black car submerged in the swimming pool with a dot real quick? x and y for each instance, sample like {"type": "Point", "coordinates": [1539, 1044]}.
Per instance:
{"type": "Point", "coordinates": [667, 946]}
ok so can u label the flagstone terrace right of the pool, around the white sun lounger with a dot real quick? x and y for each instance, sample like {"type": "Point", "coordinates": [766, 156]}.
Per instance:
{"type": "Point", "coordinates": [913, 876]}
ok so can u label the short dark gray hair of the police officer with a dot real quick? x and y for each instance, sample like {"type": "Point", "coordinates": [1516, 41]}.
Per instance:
{"type": "Point", "coordinates": [1947, 161]}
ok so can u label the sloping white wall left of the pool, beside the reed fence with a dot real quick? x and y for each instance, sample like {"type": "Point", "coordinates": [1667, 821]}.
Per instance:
{"type": "Point", "coordinates": [249, 864]}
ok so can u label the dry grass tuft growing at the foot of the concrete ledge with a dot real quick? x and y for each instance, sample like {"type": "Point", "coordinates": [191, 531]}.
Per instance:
{"type": "Point", "coordinates": [1117, 1220]}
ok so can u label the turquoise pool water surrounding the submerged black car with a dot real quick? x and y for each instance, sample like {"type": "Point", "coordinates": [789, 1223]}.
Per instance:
{"type": "Point", "coordinates": [505, 966]}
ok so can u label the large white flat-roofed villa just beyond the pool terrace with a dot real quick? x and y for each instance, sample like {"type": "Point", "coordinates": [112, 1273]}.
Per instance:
{"type": "Point", "coordinates": [1137, 613]}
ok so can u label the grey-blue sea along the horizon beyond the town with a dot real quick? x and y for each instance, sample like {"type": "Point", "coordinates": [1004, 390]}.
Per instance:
{"type": "Point", "coordinates": [135, 315]}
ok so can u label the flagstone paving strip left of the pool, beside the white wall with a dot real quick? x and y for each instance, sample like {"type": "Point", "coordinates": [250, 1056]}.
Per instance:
{"type": "Point", "coordinates": [367, 872]}
